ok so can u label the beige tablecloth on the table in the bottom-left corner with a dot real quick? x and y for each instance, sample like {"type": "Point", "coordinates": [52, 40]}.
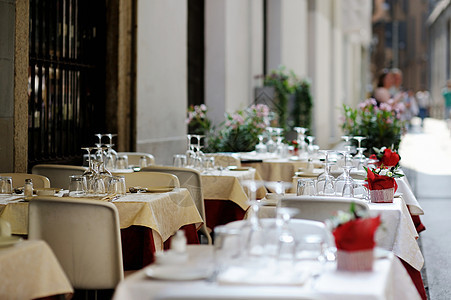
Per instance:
{"type": "Point", "coordinates": [30, 270]}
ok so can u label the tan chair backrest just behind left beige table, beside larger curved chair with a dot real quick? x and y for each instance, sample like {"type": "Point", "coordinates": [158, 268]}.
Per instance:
{"type": "Point", "coordinates": [150, 180]}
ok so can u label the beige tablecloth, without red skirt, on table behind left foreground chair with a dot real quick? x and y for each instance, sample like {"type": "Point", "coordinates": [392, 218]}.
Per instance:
{"type": "Point", "coordinates": [164, 213]}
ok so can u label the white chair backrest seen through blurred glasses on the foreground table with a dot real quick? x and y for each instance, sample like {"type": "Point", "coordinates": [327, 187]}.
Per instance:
{"type": "Point", "coordinates": [300, 228]}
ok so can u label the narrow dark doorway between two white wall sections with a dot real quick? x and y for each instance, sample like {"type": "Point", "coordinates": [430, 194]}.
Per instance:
{"type": "Point", "coordinates": [196, 51]}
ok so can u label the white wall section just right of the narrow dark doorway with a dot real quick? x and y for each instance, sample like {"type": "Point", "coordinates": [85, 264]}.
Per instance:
{"type": "Point", "coordinates": [233, 54]}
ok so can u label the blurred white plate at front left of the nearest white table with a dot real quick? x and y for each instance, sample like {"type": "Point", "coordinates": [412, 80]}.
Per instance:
{"type": "Point", "coordinates": [177, 272]}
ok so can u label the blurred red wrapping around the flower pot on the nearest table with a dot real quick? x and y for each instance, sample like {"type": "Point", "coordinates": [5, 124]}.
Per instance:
{"type": "Point", "coordinates": [356, 235]}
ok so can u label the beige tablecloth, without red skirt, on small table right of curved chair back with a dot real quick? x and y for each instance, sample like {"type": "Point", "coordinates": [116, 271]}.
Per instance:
{"type": "Point", "coordinates": [226, 185]}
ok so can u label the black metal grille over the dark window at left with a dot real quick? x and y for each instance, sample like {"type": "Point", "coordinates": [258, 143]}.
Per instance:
{"type": "Point", "coordinates": [66, 78]}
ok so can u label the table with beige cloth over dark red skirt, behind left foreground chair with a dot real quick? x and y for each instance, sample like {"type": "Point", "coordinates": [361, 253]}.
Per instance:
{"type": "Point", "coordinates": [147, 220]}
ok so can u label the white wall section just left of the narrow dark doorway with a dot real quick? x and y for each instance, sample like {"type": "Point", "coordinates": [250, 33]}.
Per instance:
{"type": "Point", "coordinates": [161, 78]}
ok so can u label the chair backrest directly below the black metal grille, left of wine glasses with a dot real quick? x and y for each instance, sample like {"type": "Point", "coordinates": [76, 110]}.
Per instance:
{"type": "Point", "coordinates": [58, 174]}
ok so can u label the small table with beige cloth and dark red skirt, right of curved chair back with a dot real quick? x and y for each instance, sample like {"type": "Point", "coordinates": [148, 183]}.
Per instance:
{"type": "Point", "coordinates": [225, 196]}
